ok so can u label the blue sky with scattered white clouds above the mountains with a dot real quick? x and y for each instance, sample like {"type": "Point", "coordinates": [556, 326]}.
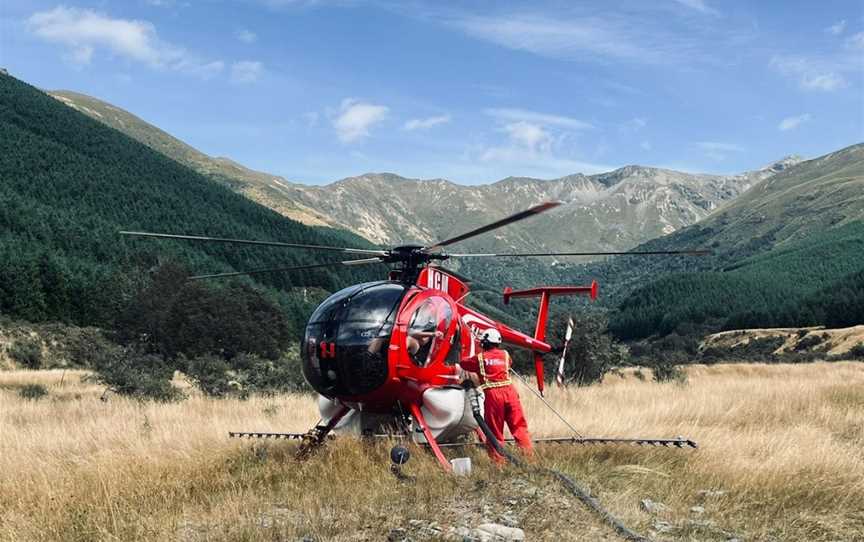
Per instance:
{"type": "Point", "coordinates": [473, 92]}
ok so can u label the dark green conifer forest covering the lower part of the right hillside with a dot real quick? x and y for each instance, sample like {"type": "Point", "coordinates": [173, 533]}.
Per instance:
{"type": "Point", "coordinates": [816, 281]}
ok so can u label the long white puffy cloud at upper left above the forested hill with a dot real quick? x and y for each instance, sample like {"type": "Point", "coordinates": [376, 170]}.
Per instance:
{"type": "Point", "coordinates": [84, 31]}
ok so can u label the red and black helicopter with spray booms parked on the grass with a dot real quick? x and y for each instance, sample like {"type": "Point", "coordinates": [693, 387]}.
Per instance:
{"type": "Point", "coordinates": [385, 354]}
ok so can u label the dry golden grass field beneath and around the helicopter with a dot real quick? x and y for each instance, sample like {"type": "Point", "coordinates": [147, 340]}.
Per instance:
{"type": "Point", "coordinates": [783, 446]}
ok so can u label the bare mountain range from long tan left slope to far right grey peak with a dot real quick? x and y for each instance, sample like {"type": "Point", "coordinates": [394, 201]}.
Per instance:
{"type": "Point", "coordinates": [609, 211]}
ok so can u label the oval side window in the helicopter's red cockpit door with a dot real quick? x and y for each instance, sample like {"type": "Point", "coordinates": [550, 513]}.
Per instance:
{"type": "Point", "coordinates": [427, 330]}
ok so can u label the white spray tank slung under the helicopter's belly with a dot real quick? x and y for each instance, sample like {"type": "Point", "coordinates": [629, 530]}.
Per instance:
{"type": "Point", "coordinates": [447, 412]}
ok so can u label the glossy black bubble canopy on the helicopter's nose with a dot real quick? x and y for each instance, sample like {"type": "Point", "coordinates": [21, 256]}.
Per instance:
{"type": "Point", "coordinates": [344, 350]}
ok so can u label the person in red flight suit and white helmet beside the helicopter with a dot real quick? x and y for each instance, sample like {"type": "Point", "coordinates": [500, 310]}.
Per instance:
{"type": "Point", "coordinates": [502, 405]}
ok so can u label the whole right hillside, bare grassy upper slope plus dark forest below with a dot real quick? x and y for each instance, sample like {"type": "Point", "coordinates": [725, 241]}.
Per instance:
{"type": "Point", "coordinates": [789, 252]}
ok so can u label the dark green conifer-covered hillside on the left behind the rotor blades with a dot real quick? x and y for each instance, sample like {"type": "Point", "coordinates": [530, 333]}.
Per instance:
{"type": "Point", "coordinates": [68, 184]}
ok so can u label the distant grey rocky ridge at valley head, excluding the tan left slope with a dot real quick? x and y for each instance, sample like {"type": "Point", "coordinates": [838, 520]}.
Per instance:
{"type": "Point", "coordinates": [608, 211]}
